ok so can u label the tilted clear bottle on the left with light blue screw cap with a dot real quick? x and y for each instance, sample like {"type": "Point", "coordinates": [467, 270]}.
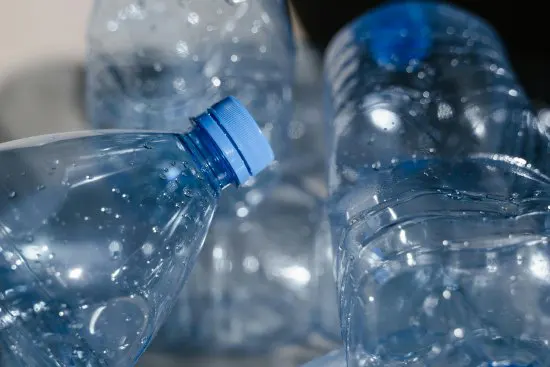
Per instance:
{"type": "Point", "coordinates": [88, 278]}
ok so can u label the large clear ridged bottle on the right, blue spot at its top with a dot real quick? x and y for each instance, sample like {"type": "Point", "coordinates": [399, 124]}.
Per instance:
{"type": "Point", "coordinates": [437, 210]}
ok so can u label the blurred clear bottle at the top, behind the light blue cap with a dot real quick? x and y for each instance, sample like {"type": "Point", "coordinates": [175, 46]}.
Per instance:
{"type": "Point", "coordinates": [150, 62]}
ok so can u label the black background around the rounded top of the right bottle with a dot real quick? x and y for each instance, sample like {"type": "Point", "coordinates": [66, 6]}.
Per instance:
{"type": "Point", "coordinates": [523, 25]}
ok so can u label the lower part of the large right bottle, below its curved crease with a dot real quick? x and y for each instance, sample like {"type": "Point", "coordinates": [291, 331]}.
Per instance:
{"type": "Point", "coordinates": [448, 266]}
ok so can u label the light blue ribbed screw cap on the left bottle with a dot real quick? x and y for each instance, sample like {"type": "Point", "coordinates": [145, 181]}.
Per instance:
{"type": "Point", "coordinates": [238, 136]}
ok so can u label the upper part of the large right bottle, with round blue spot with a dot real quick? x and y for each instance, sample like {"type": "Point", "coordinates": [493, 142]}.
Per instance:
{"type": "Point", "coordinates": [418, 80]}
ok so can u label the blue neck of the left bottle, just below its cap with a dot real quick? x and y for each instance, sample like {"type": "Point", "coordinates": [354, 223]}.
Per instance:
{"type": "Point", "coordinates": [209, 158]}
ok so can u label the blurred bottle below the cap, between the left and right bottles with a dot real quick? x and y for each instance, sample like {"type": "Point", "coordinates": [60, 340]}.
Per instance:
{"type": "Point", "coordinates": [255, 286]}
